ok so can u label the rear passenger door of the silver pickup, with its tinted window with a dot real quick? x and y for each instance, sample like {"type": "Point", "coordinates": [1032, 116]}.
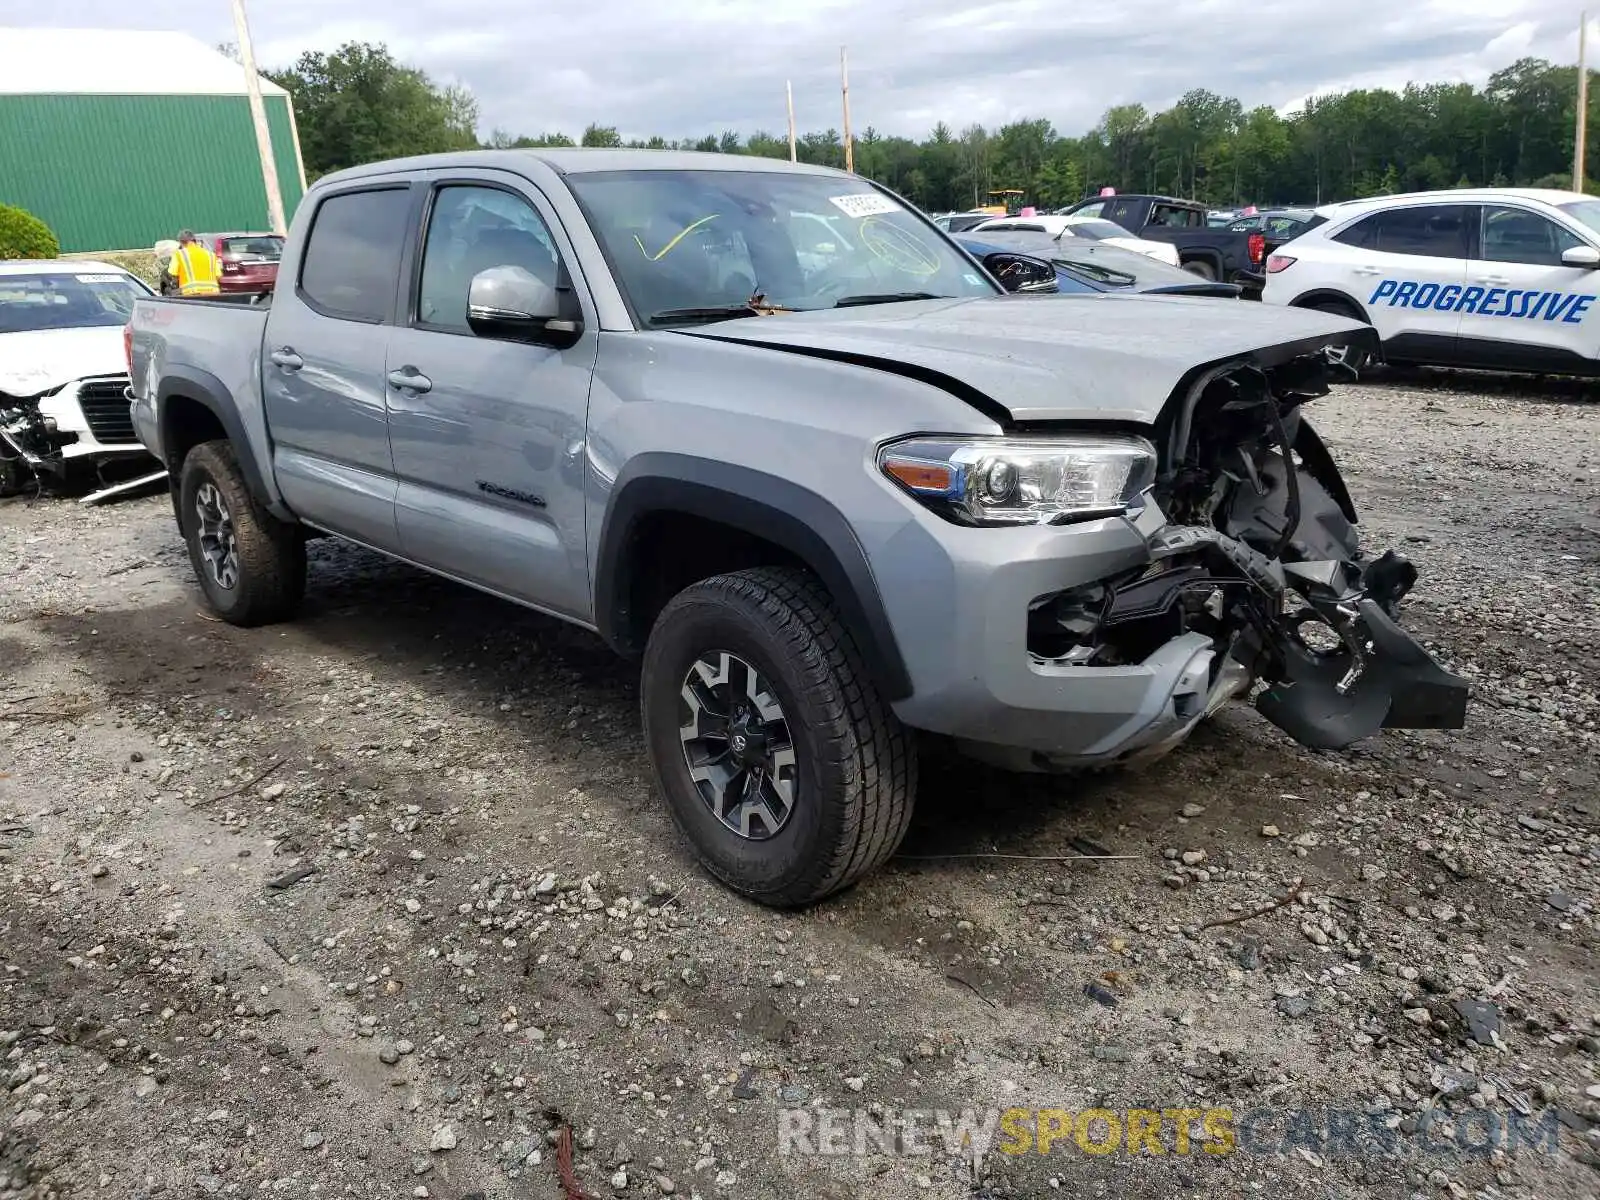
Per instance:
{"type": "Point", "coordinates": [322, 377]}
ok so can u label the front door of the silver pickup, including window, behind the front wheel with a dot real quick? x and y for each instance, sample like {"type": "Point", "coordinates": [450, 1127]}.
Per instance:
{"type": "Point", "coordinates": [487, 434]}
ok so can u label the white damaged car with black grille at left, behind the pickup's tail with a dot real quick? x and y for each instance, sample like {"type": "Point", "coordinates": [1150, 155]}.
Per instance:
{"type": "Point", "coordinates": [65, 369]}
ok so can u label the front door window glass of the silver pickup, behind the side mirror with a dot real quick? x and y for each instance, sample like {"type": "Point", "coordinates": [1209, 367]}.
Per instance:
{"type": "Point", "coordinates": [471, 231]}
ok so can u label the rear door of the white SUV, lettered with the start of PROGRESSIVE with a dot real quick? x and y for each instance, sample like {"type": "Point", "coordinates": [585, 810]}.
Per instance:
{"type": "Point", "coordinates": [1409, 268]}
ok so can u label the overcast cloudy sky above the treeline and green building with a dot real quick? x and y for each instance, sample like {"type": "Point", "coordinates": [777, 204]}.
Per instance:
{"type": "Point", "coordinates": [679, 70]}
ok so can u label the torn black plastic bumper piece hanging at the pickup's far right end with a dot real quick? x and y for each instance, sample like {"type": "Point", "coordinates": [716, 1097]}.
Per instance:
{"type": "Point", "coordinates": [1401, 687]}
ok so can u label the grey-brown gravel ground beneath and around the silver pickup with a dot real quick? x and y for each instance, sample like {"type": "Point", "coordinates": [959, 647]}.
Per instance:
{"type": "Point", "coordinates": [382, 902]}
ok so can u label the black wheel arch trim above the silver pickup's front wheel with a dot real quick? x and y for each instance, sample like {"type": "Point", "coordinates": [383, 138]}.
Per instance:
{"type": "Point", "coordinates": [775, 510]}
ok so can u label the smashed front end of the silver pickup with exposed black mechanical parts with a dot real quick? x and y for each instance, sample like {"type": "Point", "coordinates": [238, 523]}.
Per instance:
{"type": "Point", "coordinates": [1257, 572]}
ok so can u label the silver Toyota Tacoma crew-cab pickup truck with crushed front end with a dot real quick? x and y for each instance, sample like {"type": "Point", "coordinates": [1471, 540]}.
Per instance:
{"type": "Point", "coordinates": [836, 498]}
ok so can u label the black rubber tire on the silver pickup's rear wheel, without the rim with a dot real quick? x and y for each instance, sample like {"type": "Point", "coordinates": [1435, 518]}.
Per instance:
{"type": "Point", "coordinates": [271, 554]}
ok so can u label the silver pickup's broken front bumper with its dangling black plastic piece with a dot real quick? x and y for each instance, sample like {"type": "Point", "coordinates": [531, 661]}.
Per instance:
{"type": "Point", "coordinates": [1004, 703]}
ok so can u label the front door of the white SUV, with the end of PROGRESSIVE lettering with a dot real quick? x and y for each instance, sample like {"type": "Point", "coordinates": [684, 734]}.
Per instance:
{"type": "Point", "coordinates": [1524, 310]}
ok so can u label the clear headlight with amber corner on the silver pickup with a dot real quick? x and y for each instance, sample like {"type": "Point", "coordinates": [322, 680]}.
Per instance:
{"type": "Point", "coordinates": [1023, 481]}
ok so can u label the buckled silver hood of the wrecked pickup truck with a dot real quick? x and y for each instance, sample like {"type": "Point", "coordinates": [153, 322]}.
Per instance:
{"type": "Point", "coordinates": [1050, 358]}
